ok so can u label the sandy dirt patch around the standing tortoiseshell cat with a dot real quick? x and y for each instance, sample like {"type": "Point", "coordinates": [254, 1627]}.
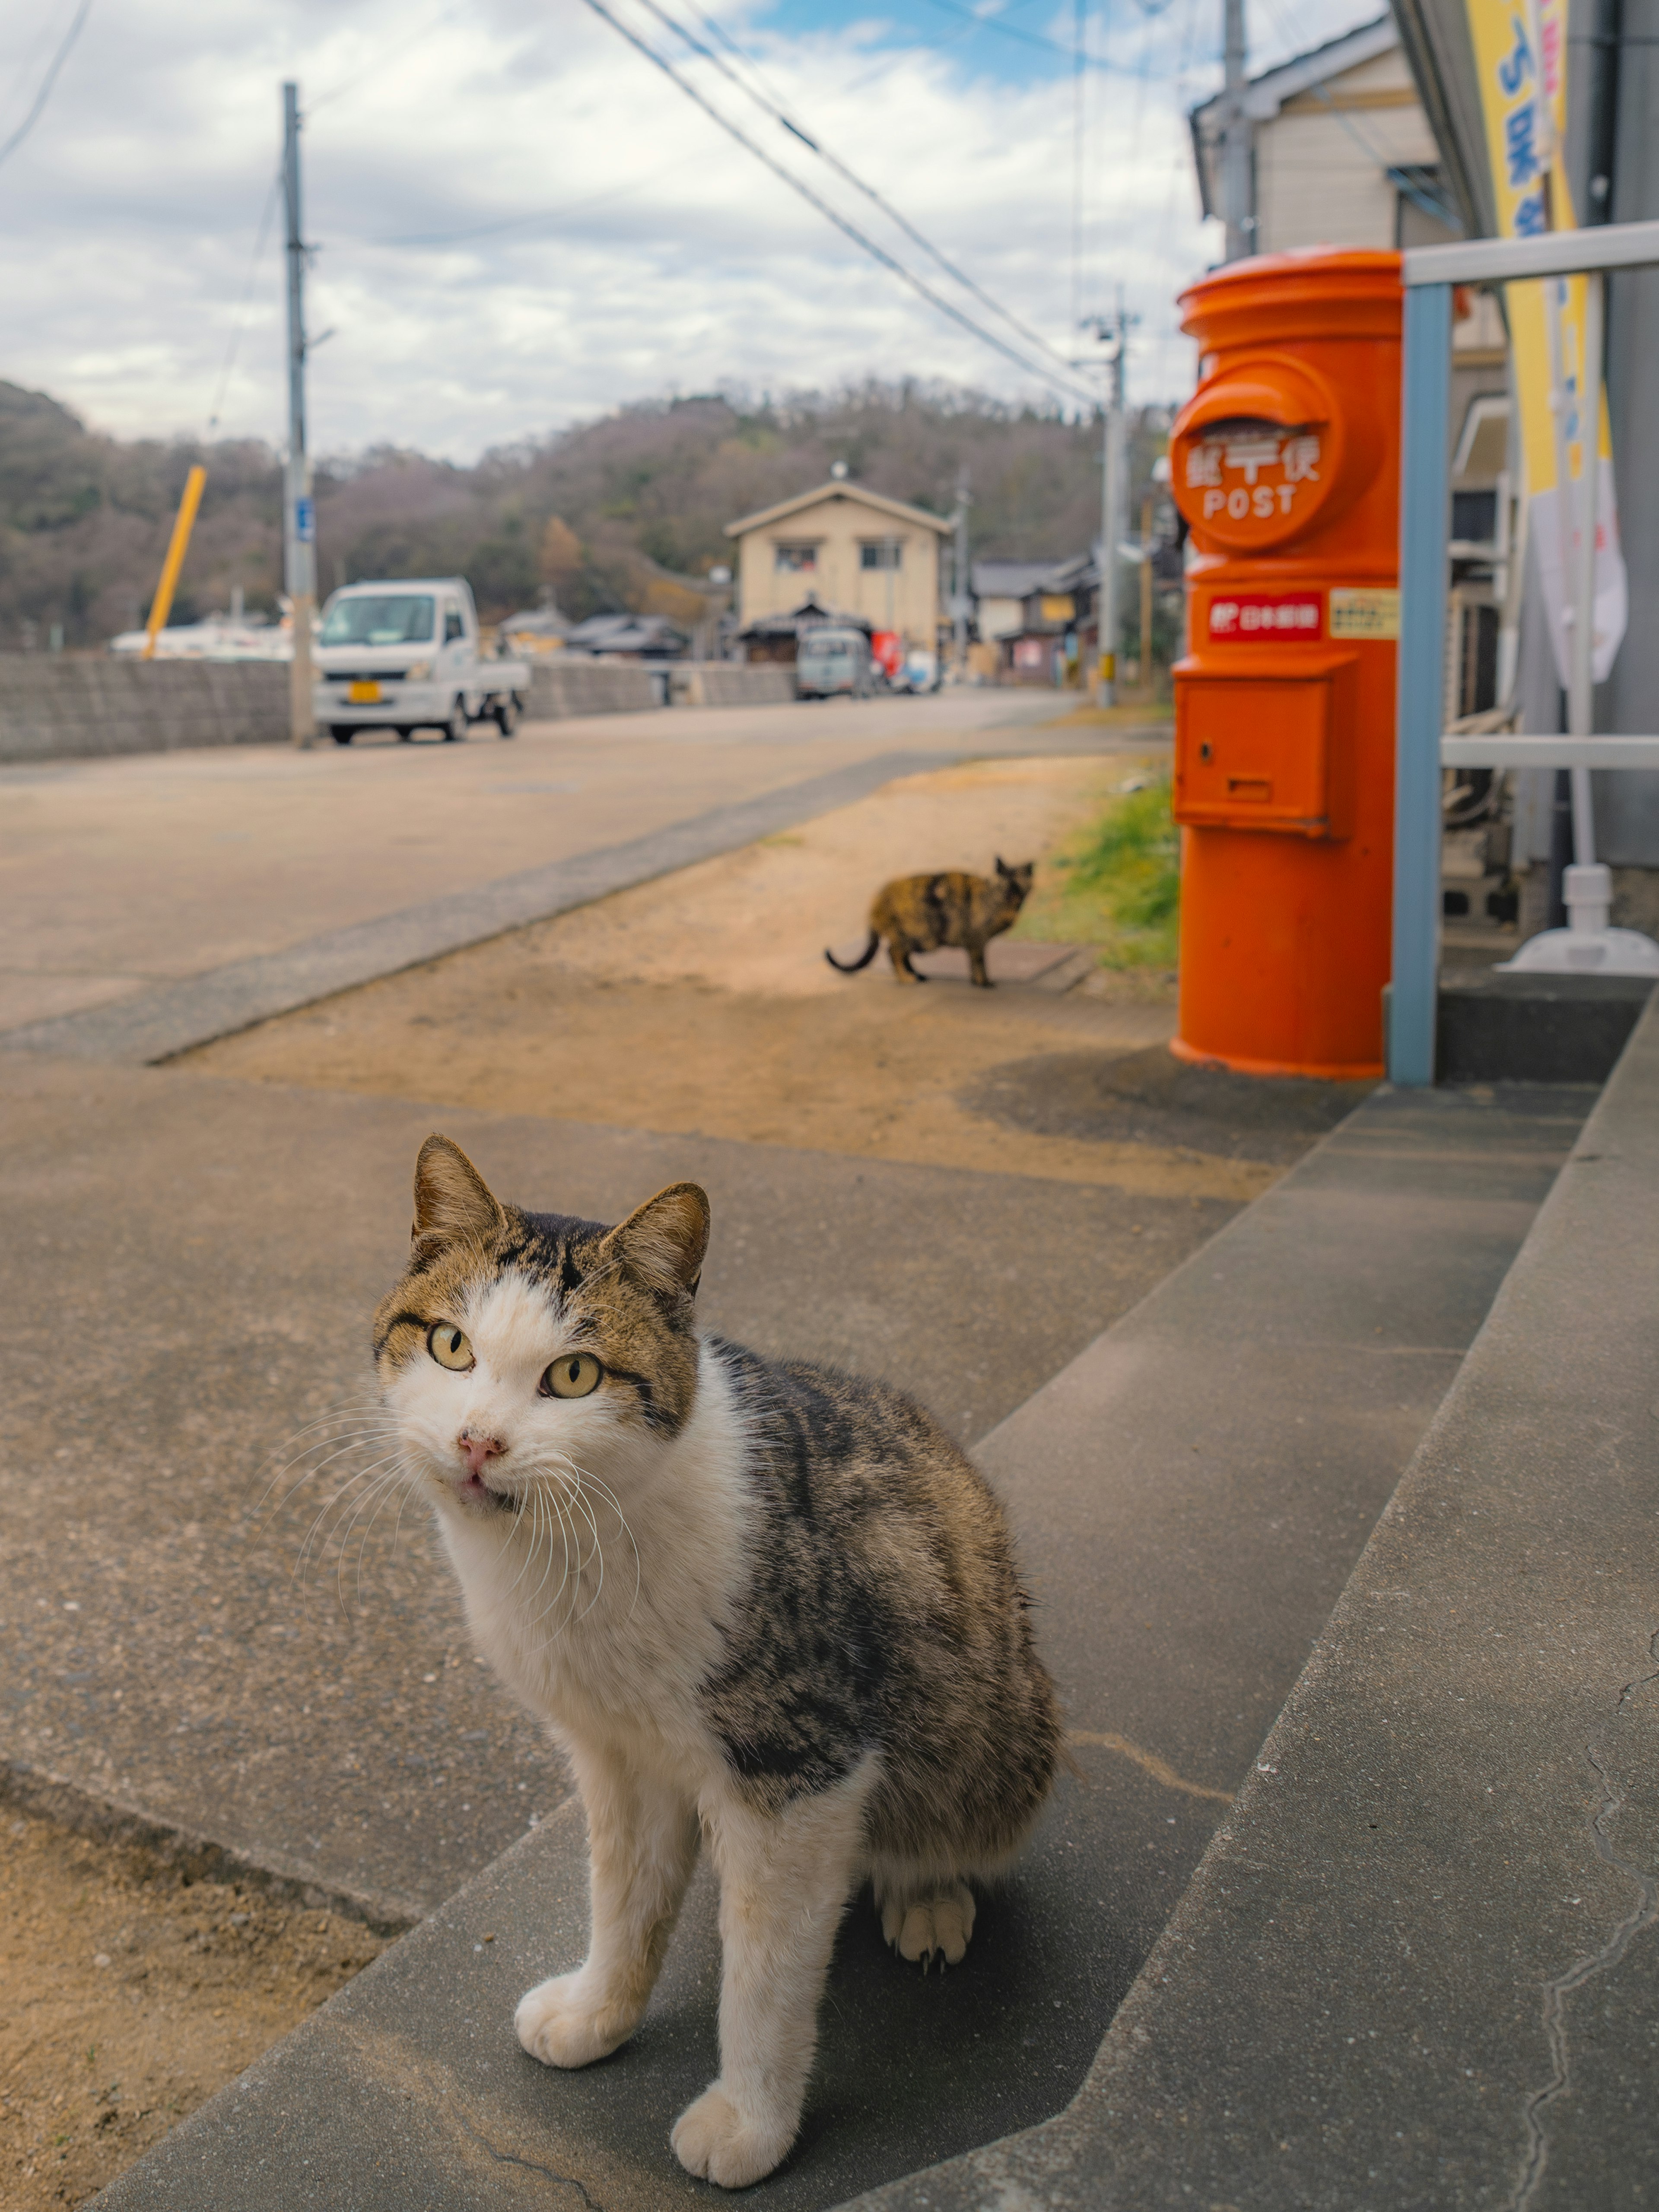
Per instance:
{"type": "Point", "coordinates": [702, 1005]}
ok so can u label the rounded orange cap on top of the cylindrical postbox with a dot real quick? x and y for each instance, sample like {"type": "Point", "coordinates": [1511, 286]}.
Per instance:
{"type": "Point", "coordinates": [1313, 293]}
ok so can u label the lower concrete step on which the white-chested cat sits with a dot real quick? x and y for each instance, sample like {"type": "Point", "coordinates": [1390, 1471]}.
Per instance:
{"type": "Point", "coordinates": [1191, 1494]}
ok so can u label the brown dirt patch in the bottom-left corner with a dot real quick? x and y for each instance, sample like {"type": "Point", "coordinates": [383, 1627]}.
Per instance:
{"type": "Point", "coordinates": [129, 1994]}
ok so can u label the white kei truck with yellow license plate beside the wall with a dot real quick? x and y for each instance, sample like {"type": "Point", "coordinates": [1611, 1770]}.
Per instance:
{"type": "Point", "coordinates": [404, 656]}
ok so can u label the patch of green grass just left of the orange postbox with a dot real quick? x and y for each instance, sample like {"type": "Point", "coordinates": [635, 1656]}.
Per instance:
{"type": "Point", "coordinates": [1118, 884]}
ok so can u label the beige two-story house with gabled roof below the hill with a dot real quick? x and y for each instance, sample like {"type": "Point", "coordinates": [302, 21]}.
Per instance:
{"type": "Point", "coordinates": [855, 552]}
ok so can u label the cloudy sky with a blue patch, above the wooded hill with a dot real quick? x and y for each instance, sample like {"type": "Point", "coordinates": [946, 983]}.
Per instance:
{"type": "Point", "coordinates": [523, 222]}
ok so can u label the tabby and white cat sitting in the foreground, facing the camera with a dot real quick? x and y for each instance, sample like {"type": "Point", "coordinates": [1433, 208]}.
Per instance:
{"type": "Point", "coordinates": [758, 1603]}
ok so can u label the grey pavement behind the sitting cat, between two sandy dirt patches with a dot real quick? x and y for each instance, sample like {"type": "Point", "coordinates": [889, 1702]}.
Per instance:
{"type": "Point", "coordinates": [202, 1262]}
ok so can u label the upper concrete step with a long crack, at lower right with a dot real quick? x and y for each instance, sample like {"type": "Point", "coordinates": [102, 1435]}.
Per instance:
{"type": "Point", "coordinates": [1419, 1963]}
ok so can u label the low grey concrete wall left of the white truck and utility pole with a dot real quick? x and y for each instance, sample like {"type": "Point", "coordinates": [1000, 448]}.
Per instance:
{"type": "Point", "coordinates": [59, 707]}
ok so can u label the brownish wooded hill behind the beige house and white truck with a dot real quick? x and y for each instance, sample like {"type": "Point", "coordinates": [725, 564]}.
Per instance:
{"type": "Point", "coordinates": [609, 514]}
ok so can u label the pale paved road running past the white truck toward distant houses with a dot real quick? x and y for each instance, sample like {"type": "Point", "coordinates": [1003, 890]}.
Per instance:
{"type": "Point", "coordinates": [125, 875]}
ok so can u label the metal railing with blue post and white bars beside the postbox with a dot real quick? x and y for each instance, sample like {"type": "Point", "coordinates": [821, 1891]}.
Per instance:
{"type": "Point", "coordinates": [1426, 528]}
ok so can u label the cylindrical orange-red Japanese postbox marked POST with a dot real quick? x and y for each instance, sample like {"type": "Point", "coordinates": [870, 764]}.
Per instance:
{"type": "Point", "coordinates": [1286, 463]}
